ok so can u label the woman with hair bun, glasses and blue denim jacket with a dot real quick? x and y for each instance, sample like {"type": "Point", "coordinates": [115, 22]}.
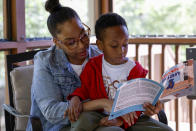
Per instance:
{"type": "Point", "coordinates": [57, 70]}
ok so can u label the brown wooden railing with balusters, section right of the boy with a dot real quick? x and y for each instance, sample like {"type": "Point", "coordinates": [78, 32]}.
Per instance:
{"type": "Point", "coordinates": [176, 42]}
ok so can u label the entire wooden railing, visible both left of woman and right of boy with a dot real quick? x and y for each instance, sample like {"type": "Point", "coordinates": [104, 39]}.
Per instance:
{"type": "Point", "coordinates": [177, 42]}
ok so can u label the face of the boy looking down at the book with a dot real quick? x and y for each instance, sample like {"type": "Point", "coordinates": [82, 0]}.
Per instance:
{"type": "Point", "coordinates": [114, 44]}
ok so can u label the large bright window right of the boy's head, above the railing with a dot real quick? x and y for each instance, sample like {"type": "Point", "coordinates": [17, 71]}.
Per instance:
{"type": "Point", "coordinates": [145, 17]}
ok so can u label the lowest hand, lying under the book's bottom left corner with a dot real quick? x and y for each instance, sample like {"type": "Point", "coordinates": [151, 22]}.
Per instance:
{"type": "Point", "coordinates": [114, 122]}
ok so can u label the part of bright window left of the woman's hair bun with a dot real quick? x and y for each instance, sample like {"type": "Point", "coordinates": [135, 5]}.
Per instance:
{"type": "Point", "coordinates": [36, 19]}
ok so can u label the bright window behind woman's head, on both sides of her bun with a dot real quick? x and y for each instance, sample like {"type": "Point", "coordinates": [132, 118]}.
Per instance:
{"type": "Point", "coordinates": [36, 15]}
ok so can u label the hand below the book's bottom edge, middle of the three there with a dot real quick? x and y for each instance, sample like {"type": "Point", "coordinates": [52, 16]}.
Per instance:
{"type": "Point", "coordinates": [129, 118]}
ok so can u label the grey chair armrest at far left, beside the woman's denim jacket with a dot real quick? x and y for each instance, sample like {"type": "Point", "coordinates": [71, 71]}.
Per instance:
{"type": "Point", "coordinates": [13, 111]}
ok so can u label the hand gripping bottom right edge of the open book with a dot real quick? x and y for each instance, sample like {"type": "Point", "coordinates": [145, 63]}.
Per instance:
{"type": "Point", "coordinates": [152, 110]}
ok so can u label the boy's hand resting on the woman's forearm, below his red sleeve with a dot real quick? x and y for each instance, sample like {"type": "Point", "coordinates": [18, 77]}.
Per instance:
{"type": "Point", "coordinates": [74, 109]}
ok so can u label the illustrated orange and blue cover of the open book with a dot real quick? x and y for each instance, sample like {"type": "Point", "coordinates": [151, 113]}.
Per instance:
{"type": "Point", "coordinates": [178, 81]}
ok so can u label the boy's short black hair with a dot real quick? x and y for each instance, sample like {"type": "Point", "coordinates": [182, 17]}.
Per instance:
{"type": "Point", "coordinates": [108, 20]}
